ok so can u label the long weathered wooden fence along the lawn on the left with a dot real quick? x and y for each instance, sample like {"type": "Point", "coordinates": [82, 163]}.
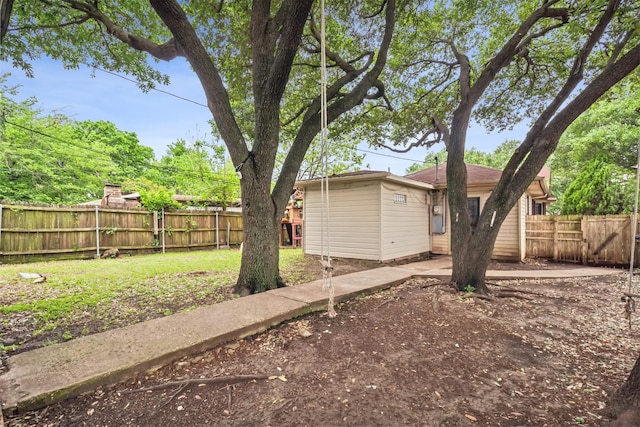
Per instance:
{"type": "Point", "coordinates": [30, 233]}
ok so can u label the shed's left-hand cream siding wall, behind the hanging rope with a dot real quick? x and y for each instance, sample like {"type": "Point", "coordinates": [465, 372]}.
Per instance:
{"type": "Point", "coordinates": [354, 214]}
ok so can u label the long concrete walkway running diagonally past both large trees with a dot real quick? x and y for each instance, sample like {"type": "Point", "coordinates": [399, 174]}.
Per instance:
{"type": "Point", "coordinates": [39, 377]}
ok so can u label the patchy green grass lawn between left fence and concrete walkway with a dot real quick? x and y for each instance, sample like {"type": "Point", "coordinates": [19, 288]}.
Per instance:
{"type": "Point", "coordinates": [87, 296]}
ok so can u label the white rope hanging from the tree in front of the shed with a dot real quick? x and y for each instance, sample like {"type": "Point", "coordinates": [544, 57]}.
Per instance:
{"type": "Point", "coordinates": [325, 254]}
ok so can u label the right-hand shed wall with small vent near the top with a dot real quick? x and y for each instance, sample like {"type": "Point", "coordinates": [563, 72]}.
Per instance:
{"type": "Point", "coordinates": [405, 226]}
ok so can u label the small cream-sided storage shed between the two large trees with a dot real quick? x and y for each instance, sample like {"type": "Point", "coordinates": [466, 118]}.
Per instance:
{"type": "Point", "coordinates": [372, 215]}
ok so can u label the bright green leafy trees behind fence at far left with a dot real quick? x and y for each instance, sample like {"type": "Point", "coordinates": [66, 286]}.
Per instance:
{"type": "Point", "coordinates": [50, 158]}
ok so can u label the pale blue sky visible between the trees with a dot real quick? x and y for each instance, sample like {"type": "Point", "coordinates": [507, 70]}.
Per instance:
{"type": "Point", "coordinates": [159, 119]}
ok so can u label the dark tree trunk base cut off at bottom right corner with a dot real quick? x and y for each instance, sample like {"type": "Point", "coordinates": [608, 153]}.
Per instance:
{"type": "Point", "coordinates": [624, 404]}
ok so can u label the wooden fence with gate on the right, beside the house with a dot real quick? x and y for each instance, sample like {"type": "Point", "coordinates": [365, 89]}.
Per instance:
{"type": "Point", "coordinates": [600, 240]}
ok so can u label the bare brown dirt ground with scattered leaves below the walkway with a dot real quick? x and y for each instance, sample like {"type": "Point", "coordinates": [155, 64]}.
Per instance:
{"type": "Point", "coordinates": [416, 354]}
